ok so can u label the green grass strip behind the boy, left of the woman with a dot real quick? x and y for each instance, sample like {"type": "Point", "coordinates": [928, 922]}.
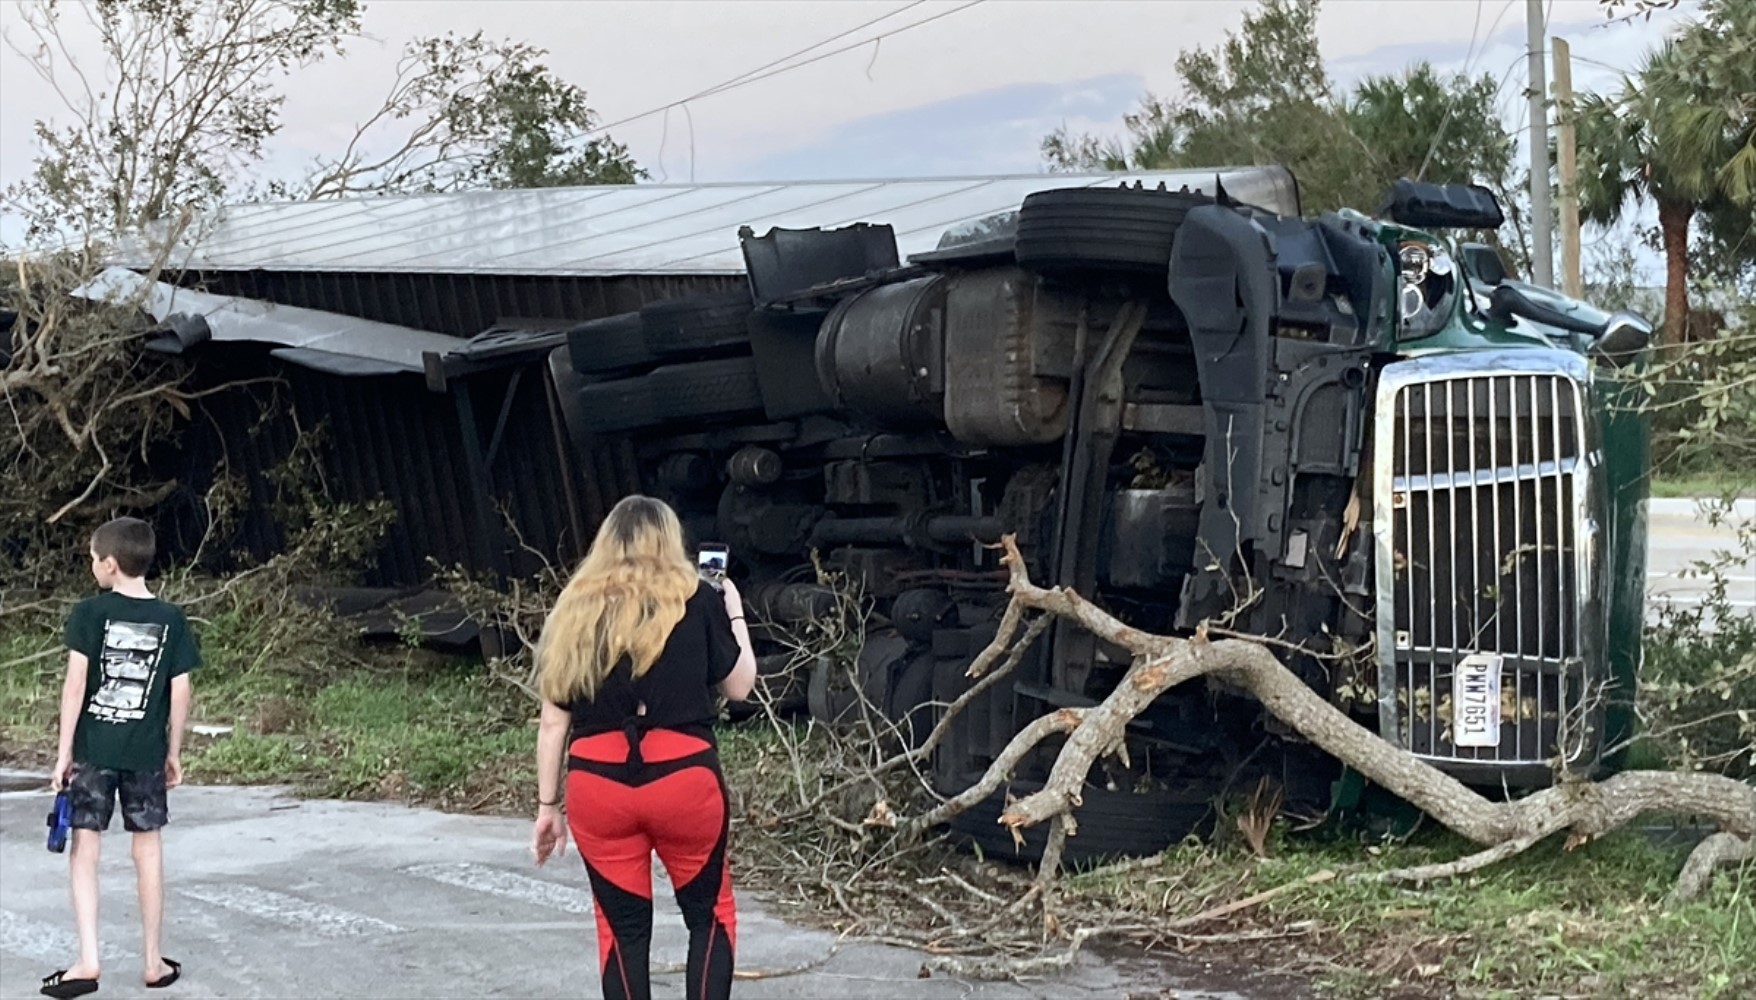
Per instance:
{"type": "Point", "coordinates": [394, 723]}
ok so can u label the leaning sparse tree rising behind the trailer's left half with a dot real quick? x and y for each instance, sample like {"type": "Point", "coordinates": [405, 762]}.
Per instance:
{"type": "Point", "coordinates": [491, 115]}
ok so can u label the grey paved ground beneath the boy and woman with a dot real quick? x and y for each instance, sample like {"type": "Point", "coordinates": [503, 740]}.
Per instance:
{"type": "Point", "coordinates": [277, 897]}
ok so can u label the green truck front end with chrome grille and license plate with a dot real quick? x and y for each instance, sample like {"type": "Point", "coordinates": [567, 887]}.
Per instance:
{"type": "Point", "coordinates": [1509, 512]}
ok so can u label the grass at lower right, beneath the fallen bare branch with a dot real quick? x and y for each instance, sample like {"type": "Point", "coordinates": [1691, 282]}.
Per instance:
{"type": "Point", "coordinates": [1592, 922]}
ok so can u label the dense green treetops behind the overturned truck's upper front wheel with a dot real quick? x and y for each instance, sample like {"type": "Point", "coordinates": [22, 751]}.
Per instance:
{"type": "Point", "coordinates": [1265, 98]}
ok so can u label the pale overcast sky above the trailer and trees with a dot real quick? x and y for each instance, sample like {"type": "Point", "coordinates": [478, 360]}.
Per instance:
{"type": "Point", "coordinates": [972, 92]}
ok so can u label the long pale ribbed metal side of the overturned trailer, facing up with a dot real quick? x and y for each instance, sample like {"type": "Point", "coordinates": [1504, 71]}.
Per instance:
{"type": "Point", "coordinates": [623, 229]}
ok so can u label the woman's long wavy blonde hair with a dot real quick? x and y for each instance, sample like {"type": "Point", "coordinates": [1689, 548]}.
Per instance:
{"type": "Point", "coordinates": [623, 602]}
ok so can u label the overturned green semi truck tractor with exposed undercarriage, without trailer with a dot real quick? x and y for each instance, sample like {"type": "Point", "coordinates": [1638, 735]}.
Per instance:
{"type": "Point", "coordinates": [1355, 435]}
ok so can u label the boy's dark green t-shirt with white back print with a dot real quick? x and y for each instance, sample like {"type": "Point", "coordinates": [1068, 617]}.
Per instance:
{"type": "Point", "coordinates": [134, 648]}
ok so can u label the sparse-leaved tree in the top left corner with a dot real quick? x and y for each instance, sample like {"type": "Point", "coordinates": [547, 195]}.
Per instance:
{"type": "Point", "coordinates": [187, 99]}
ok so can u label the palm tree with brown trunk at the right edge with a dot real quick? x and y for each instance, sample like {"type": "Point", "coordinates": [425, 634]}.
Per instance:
{"type": "Point", "coordinates": [1683, 134]}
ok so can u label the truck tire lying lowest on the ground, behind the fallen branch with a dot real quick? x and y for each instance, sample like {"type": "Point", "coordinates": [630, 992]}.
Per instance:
{"type": "Point", "coordinates": [1112, 825]}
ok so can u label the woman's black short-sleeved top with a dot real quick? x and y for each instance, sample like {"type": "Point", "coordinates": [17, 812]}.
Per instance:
{"type": "Point", "coordinates": [679, 688]}
